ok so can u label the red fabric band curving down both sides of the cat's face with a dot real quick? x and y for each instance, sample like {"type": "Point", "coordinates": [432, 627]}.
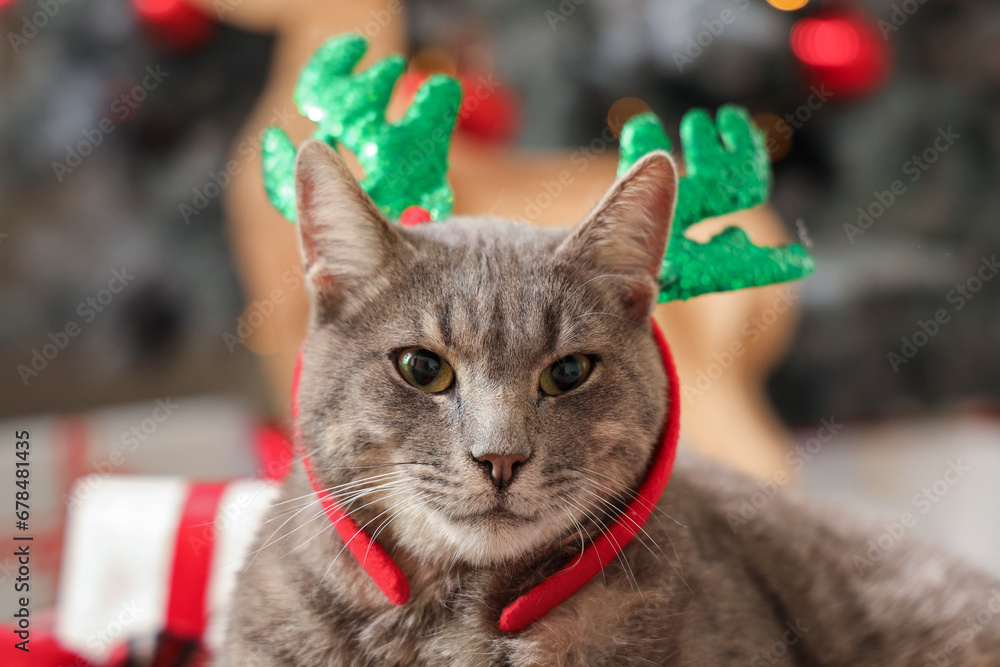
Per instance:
{"type": "Point", "coordinates": [546, 596]}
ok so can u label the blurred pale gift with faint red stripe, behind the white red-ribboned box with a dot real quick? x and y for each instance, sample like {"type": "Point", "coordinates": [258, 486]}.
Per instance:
{"type": "Point", "coordinates": [207, 437]}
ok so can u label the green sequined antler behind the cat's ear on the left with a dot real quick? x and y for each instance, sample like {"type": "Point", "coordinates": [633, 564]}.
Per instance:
{"type": "Point", "coordinates": [405, 162]}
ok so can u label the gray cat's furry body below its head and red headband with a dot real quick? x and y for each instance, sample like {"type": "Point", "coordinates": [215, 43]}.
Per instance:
{"type": "Point", "coordinates": [782, 590]}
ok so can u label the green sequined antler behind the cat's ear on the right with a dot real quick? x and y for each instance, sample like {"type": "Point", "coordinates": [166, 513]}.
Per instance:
{"type": "Point", "coordinates": [721, 178]}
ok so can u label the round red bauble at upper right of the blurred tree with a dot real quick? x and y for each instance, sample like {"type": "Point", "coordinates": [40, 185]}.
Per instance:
{"type": "Point", "coordinates": [842, 51]}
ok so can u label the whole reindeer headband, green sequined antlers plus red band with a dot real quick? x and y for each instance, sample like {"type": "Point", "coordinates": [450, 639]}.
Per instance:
{"type": "Point", "coordinates": [406, 168]}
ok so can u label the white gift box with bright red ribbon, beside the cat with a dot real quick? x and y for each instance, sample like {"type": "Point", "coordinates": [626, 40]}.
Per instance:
{"type": "Point", "coordinates": [153, 557]}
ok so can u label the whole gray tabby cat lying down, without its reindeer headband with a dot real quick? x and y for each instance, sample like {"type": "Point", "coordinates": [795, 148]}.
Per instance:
{"type": "Point", "coordinates": [484, 396]}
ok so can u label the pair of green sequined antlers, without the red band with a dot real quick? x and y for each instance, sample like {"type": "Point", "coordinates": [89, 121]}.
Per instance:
{"type": "Point", "coordinates": [406, 164]}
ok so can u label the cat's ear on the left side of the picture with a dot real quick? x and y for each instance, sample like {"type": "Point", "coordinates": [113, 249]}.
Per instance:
{"type": "Point", "coordinates": [344, 239]}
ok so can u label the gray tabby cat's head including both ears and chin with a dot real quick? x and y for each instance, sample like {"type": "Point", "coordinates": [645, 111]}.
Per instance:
{"type": "Point", "coordinates": [446, 392]}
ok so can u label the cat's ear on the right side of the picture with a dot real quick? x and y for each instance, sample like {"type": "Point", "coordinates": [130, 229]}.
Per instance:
{"type": "Point", "coordinates": [626, 234]}
